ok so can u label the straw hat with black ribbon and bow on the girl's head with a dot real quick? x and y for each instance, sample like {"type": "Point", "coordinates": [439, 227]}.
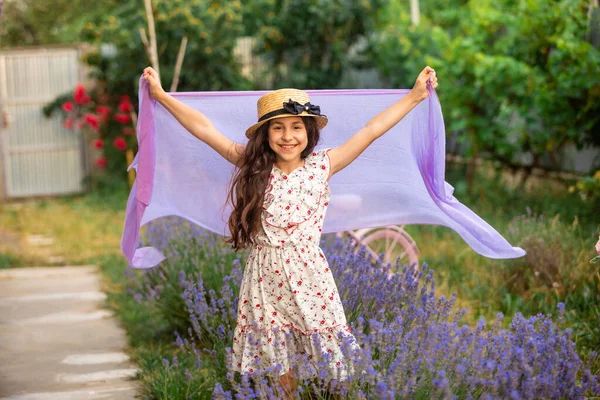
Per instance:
{"type": "Point", "coordinates": [286, 103]}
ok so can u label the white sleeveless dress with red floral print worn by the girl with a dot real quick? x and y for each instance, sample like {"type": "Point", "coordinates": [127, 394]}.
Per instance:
{"type": "Point", "coordinates": [289, 307]}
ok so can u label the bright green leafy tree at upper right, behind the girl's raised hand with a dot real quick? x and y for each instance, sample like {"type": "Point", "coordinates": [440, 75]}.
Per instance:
{"type": "Point", "coordinates": [520, 76]}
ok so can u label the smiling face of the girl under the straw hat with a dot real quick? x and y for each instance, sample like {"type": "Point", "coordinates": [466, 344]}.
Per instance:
{"type": "Point", "coordinates": [287, 138]}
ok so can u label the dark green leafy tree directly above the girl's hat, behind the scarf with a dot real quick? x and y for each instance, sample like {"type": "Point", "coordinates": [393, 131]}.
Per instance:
{"type": "Point", "coordinates": [307, 42]}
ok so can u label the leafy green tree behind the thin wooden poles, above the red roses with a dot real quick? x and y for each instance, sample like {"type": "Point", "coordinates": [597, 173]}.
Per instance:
{"type": "Point", "coordinates": [209, 64]}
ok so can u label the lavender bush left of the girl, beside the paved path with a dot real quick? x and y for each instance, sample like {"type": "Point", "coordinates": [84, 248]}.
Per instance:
{"type": "Point", "coordinates": [194, 257]}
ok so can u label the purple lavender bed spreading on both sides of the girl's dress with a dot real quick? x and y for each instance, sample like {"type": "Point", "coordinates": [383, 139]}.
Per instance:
{"type": "Point", "coordinates": [411, 341]}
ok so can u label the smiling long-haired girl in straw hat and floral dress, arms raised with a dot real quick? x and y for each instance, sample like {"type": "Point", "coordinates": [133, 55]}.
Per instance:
{"type": "Point", "coordinates": [279, 194]}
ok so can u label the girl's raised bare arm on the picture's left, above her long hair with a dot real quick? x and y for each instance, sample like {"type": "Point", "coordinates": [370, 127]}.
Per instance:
{"type": "Point", "coordinates": [194, 121]}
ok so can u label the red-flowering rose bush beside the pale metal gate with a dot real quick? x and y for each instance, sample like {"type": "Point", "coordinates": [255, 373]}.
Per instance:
{"type": "Point", "coordinates": [107, 120]}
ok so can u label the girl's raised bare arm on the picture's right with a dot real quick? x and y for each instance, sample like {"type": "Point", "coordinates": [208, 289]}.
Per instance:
{"type": "Point", "coordinates": [340, 157]}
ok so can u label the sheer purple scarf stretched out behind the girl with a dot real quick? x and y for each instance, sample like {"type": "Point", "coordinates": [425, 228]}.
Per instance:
{"type": "Point", "coordinates": [399, 179]}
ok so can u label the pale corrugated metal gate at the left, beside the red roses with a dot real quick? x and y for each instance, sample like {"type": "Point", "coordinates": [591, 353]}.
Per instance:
{"type": "Point", "coordinates": [38, 156]}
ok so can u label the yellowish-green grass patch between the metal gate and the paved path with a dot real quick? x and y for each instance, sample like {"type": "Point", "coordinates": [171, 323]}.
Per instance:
{"type": "Point", "coordinates": [81, 227]}
